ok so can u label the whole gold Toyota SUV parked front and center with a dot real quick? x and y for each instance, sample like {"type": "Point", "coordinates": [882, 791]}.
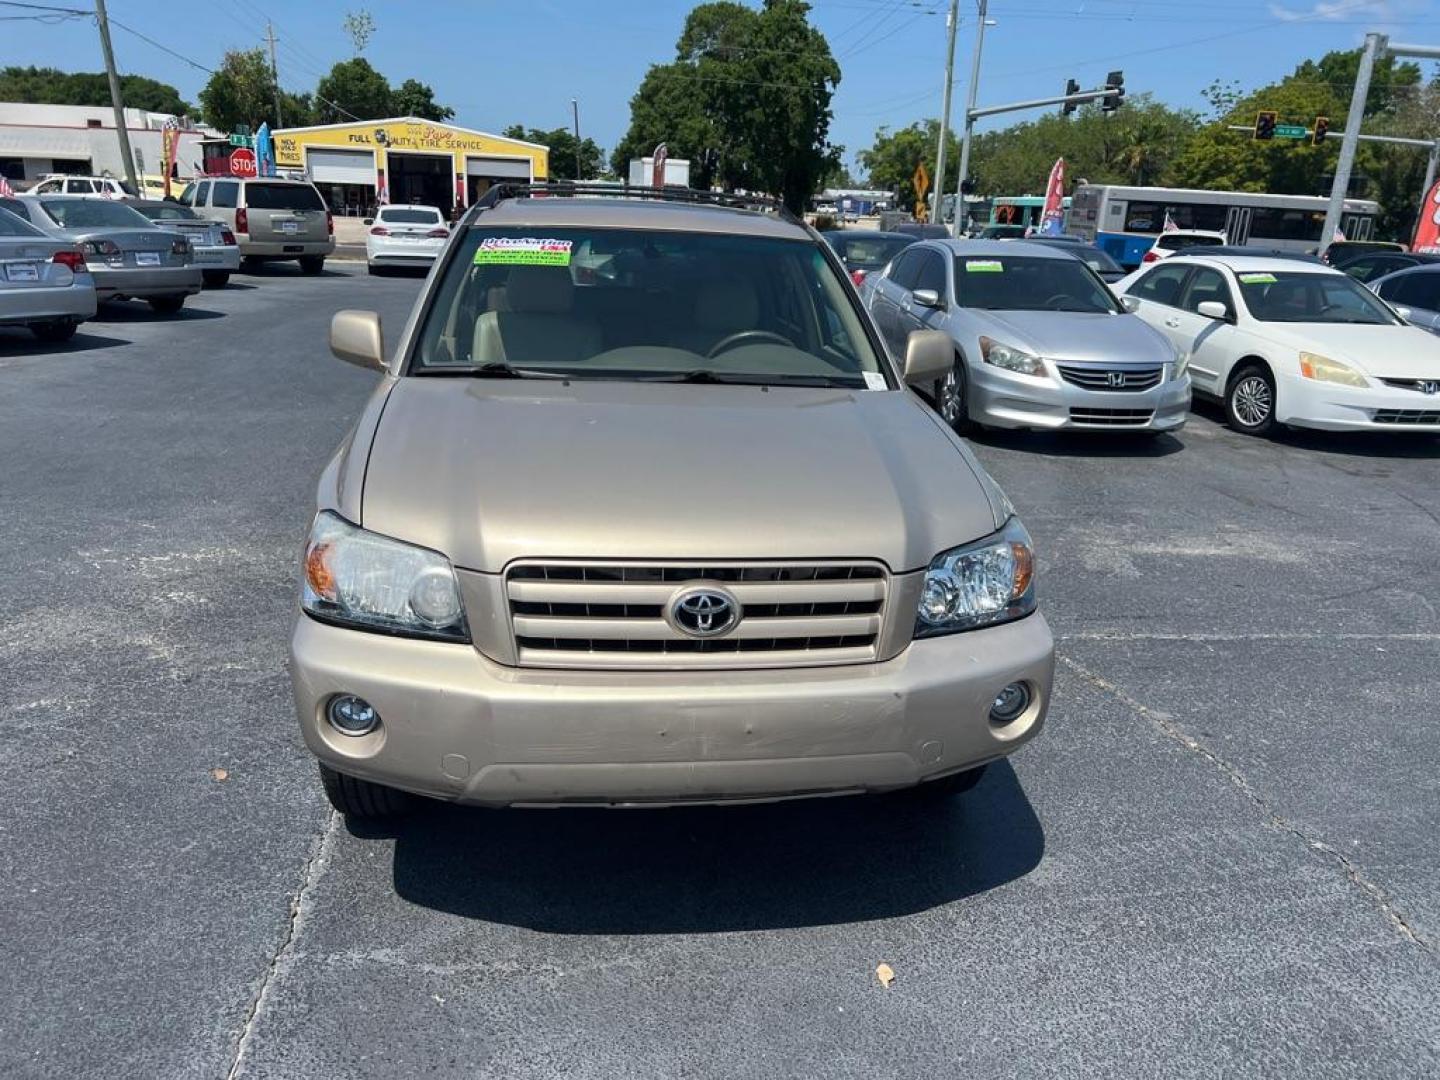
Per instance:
{"type": "Point", "coordinates": [642, 513]}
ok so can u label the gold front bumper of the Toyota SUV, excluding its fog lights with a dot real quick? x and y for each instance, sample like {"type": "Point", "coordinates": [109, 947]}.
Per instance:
{"type": "Point", "coordinates": [459, 726]}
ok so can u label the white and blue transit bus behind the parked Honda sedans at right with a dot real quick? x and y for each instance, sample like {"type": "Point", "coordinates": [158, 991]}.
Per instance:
{"type": "Point", "coordinates": [1125, 221]}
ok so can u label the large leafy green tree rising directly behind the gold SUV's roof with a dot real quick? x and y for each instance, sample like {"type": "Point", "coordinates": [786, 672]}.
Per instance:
{"type": "Point", "coordinates": [747, 102]}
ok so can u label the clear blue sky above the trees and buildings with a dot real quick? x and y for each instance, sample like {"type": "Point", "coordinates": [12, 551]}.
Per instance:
{"type": "Point", "coordinates": [521, 61]}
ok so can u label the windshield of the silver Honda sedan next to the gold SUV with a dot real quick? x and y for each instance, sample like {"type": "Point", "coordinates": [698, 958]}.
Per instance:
{"type": "Point", "coordinates": [1030, 283]}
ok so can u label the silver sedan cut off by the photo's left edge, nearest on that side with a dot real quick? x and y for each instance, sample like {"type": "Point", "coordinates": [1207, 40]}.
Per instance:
{"type": "Point", "coordinates": [44, 282]}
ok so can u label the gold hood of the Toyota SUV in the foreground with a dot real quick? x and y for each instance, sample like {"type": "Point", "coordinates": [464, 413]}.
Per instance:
{"type": "Point", "coordinates": [493, 472]}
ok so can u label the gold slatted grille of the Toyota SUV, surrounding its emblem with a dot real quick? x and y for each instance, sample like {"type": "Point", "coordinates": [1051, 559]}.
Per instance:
{"type": "Point", "coordinates": [614, 616]}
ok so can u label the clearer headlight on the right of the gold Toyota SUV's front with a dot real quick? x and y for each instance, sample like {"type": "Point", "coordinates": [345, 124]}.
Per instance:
{"type": "Point", "coordinates": [978, 585]}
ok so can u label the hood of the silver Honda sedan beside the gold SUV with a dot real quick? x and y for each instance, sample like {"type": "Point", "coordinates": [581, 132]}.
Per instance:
{"type": "Point", "coordinates": [1075, 336]}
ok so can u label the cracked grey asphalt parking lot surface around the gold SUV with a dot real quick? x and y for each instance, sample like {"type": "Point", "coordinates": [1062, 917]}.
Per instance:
{"type": "Point", "coordinates": [1220, 859]}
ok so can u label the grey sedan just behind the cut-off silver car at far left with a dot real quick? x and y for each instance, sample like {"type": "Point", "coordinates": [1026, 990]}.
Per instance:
{"type": "Point", "coordinates": [129, 257]}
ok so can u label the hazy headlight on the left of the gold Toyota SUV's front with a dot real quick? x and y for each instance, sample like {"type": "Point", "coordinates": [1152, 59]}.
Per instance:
{"type": "Point", "coordinates": [372, 582]}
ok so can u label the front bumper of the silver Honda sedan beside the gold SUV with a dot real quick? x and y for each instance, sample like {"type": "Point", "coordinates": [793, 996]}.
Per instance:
{"type": "Point", "coordinates": [1004, 400]}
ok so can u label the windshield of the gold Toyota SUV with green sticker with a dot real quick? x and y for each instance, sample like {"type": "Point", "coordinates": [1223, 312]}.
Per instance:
{"type": "Point", "coordinates": [647, 306]}
